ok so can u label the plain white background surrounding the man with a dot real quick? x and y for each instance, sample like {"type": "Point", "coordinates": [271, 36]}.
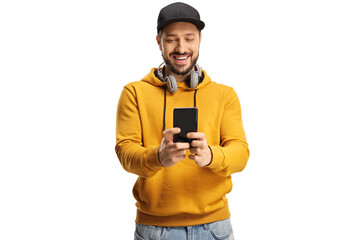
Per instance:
{"type": "Point", "coordinates": [294, 64]}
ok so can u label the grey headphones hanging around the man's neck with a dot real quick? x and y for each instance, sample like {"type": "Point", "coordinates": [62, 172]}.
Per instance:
{"type": "Point", "coordinates": [170, 80]}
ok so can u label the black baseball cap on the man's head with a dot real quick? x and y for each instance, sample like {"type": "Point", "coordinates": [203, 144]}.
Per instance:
{"type": "Point", "coordinates": [179, 12]}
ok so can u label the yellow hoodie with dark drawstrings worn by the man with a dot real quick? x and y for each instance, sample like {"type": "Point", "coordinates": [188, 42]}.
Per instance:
{"type": "Point", "coordinates": [184, 194]}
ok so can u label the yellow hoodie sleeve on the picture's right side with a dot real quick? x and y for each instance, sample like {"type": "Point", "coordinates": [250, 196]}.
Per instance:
{"type": "Point", "coordinates": [232, 154]}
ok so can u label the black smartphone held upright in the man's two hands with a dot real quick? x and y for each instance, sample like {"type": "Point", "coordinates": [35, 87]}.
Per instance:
{"type": "Point", "coordinates": [186, 120]}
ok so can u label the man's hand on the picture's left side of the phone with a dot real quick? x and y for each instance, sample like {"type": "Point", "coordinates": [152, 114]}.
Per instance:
{"type": "Point", "coordinates": [169, 152]}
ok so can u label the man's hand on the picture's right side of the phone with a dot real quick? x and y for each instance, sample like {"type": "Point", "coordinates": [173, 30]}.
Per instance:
{"type": "Point", "coordinates": [201, 152]}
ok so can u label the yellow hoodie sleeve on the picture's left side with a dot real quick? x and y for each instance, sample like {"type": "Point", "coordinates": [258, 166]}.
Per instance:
{"type": "Point", "coordinates": [133, 156]}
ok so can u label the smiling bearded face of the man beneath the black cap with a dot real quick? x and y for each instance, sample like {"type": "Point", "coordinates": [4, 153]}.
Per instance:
{"type": "Point", "coordinates": [179, 44]}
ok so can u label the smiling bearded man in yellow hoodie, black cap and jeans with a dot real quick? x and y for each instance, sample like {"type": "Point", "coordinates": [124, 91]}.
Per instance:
{"type": "Point", "coordinates": [181, 187]}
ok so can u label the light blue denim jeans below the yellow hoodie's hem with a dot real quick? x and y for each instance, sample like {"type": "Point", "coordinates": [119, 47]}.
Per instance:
{"type": "Point", "coordinates": [209, 231]}
